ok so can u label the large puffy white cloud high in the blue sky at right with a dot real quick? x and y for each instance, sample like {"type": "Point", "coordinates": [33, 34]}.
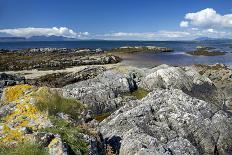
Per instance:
{"type": "Point", "coordinates": [208, 18]}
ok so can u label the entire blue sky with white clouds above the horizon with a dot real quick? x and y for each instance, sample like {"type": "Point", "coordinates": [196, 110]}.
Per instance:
{"type": "Point", "coordinates": [117, 19]}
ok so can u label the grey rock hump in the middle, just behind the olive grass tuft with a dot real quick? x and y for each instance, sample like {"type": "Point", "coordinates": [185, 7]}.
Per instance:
{"type": "Point", "coordinates": [102, 94]}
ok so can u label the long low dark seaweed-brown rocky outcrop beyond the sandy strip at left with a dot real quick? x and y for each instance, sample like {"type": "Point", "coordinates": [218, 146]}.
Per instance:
{"type": "Point", "coordinates": [53, 58]}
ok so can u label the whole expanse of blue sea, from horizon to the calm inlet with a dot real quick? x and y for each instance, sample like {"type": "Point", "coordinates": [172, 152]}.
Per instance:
{"type": "Point", "coordinates": [178, 57]}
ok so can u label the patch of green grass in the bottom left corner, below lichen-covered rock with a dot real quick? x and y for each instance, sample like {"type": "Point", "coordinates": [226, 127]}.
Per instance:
{"type": "Point", "coordinates": [23, 149]}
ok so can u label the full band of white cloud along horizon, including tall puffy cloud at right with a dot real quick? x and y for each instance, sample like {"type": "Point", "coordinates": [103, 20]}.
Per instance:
{"type": "Point", "coordinates": [204, 23]}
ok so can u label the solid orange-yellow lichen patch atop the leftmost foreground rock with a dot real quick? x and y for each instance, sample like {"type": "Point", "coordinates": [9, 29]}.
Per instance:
{"type": "Point", "coordinates": [15, 92]}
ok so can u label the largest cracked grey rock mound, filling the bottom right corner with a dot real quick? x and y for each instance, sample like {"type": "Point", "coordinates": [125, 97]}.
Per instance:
{"type": "Point", "coordinates": [168, 121]}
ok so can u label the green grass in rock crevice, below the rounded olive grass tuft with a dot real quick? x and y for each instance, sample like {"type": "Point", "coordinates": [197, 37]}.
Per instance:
{"type": "Point", "coordinates": [69, 134]}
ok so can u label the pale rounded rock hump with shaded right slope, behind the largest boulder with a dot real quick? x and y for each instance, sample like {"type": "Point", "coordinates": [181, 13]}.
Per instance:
{"type": "Point", "coordinates": [186, 79]}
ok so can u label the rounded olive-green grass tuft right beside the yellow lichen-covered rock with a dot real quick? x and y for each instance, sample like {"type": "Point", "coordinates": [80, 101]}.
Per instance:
{"type": "Point", "coordinates": [54, 103]}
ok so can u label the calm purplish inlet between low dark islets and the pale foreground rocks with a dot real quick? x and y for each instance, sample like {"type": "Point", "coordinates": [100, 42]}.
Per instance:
{"type": "Point", "coordinates": [176, 59]}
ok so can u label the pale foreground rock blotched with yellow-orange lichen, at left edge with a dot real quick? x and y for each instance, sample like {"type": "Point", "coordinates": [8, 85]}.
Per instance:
{"type": "Point", "coordinates": [19, 115]}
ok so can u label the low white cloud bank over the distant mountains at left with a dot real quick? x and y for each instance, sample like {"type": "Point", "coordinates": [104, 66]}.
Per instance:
{"type": "Point", "coordinates": [31, 31]}
